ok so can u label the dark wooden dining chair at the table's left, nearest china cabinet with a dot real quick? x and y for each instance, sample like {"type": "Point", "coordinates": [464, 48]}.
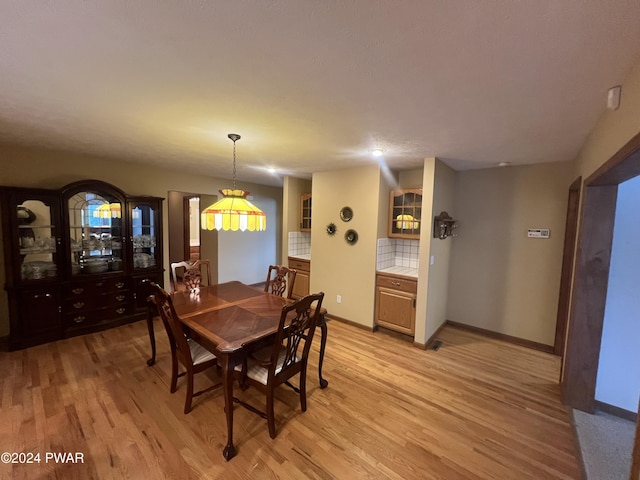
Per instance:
{"type": "Point", "coordinates": [184, 350]}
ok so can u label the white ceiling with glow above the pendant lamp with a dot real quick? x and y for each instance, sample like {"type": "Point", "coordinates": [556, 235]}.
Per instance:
{"type": "Point", "coordinates": [312, 85]}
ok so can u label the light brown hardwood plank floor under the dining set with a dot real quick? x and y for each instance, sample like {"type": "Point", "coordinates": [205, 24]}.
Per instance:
{"type": "Point", "coordinates": [477, 408]}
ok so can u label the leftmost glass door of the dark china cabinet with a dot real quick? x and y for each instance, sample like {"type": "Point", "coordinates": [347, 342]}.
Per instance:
{"type": "Point", "coordinates": [38, 231]}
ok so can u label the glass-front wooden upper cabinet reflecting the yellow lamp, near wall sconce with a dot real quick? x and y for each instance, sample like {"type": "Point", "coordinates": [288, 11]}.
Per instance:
{"type": "Point", "coordinates": [405, 213]}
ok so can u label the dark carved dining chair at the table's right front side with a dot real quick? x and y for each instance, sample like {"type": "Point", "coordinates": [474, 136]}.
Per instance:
{"type": "Point", "coordinates": [277, 364]}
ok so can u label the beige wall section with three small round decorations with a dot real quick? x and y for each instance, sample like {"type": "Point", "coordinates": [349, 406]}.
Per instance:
{"type": "Point", "coordinates": [338, 268]}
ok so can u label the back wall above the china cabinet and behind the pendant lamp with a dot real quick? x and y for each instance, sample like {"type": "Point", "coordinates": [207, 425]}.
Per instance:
{"type": "Point", "coordinates": [243, 255]}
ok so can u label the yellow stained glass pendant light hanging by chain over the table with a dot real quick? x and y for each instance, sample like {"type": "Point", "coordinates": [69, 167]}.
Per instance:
{"type": "Point", "coordinates": [233, 211]}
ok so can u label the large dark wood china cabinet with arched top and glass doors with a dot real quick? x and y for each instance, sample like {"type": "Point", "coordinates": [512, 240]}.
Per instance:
{"type": "Point", "coordinates": [78, 259]}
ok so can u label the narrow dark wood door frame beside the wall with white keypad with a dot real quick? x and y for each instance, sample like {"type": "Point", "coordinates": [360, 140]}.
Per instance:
{"type": "Point", "coordinates": [568, 258]}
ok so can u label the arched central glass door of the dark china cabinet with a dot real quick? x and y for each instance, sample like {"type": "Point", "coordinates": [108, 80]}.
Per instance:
{"type": "Point", "coordinates": [96, 233]}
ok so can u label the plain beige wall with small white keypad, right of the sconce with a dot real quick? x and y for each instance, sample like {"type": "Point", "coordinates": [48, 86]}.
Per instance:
{"type": "Point", "coordinates": [500, 280]}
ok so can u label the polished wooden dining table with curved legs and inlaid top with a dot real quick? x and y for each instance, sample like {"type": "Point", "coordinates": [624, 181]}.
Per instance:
{"type": "Point", "coordinates": [231, 320]}
